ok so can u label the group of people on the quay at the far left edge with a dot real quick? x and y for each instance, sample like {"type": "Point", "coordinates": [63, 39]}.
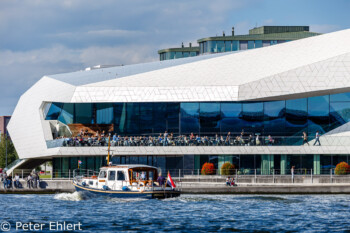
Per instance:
{"type": "Point", "coordinates": [9, 182]}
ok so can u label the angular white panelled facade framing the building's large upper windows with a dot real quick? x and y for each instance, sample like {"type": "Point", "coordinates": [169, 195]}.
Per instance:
{"type": "Point", "coordinates": [303, 68]}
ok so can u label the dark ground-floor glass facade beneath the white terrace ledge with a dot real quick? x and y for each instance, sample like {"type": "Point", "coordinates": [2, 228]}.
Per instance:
{"type": "Point", "coordinates": [262, 164]}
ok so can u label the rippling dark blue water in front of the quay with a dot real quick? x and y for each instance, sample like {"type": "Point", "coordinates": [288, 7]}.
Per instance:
{"type": "Point", "coordinates": [188, 213]}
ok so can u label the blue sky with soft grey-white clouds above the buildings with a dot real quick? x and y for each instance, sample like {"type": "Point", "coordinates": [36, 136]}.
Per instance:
{"type": "Point", "coordinates": [40, 37]}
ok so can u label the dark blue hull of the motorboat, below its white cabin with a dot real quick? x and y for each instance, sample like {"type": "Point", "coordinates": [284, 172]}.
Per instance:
{"type": "Point", "coordinates": [126, 194]}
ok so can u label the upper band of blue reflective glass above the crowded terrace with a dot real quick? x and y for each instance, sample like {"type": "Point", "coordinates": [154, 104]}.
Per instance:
{"type": "Point", "coordinates": [275, 118]}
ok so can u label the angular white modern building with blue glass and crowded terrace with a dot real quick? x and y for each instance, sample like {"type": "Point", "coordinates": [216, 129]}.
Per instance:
{"type": "Point", "coordinates": [259, 109]}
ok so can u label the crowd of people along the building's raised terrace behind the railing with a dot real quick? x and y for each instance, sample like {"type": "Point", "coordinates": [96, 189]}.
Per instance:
{"type": "Point", "coordinates": [84, 138]}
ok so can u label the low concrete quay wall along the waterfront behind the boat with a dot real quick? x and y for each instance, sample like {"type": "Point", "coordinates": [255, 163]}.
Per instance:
{"type": "Point", "coordinates": [210, 187]}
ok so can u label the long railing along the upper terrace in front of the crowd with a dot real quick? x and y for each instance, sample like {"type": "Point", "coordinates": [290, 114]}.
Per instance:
{"type": "Point", "coordinates": [247, 140]}
